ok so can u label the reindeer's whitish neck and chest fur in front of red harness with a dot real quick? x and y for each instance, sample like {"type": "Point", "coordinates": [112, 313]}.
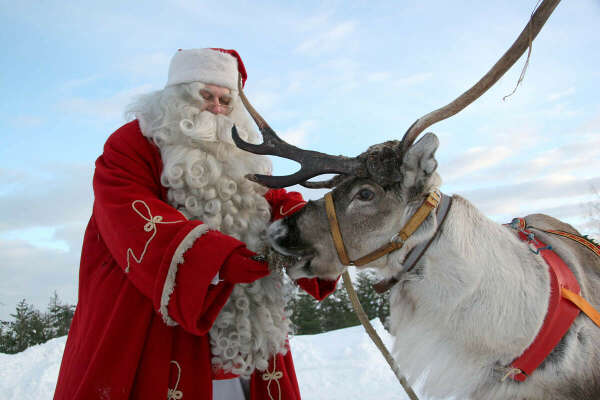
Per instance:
{"type": "Point", "coordinates": [479, 303]}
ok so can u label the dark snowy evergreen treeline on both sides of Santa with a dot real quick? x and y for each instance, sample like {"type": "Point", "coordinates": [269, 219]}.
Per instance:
{"type": "Point", "coordinates": [31, 326]}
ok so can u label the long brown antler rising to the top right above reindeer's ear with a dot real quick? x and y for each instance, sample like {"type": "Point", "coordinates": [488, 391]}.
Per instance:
{"type": "Point", "coordinates": [529, 33]}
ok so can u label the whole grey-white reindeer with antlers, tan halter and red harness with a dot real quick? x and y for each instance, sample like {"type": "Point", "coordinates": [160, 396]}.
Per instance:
{"type": "Point", "coordinates": [469, 297]}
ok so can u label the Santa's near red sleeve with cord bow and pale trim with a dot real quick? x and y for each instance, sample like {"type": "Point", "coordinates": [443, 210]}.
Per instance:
{"type": "Point", "coordinates": [169, 259]}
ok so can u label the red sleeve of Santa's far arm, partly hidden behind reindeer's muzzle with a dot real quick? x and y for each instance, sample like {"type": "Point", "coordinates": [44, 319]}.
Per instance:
{"type": "Point", "coordinates": [284, 203]}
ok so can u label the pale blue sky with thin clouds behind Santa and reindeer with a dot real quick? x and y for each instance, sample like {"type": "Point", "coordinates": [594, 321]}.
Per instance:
{"type": "Point", "coordinates": [334, 76]}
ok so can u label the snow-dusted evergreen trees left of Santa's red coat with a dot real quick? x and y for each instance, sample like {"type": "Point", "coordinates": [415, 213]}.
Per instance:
{"type": "Point", "coordinates": [31, 326]}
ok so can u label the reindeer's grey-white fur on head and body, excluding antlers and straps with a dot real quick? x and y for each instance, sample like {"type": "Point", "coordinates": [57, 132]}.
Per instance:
{"type": "Point", "coordinates": [476, 299]}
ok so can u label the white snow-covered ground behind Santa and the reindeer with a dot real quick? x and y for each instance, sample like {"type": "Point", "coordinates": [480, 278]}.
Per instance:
{"type": "Point", "coordinates": [345, 364]}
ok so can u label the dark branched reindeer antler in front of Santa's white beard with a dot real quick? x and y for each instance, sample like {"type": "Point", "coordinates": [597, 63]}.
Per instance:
{"type": "Point", "coordinates": [312, 163]}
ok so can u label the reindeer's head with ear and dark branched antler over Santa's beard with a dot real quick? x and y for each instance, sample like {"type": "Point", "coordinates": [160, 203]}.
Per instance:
{"type": "Point", "coordinates": [374, 194]}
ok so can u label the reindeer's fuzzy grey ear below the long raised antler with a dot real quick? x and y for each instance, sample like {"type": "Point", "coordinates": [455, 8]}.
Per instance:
{"type": "Point", "coordinates": [419, 162]}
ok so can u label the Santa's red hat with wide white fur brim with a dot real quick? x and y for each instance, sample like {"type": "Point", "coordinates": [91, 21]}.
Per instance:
{"type": "Point", "coordinates": [213, 66]}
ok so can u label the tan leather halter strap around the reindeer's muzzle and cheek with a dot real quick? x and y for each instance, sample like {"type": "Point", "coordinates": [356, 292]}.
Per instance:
{"type": "Point", "coordinates": [395, 243]}
